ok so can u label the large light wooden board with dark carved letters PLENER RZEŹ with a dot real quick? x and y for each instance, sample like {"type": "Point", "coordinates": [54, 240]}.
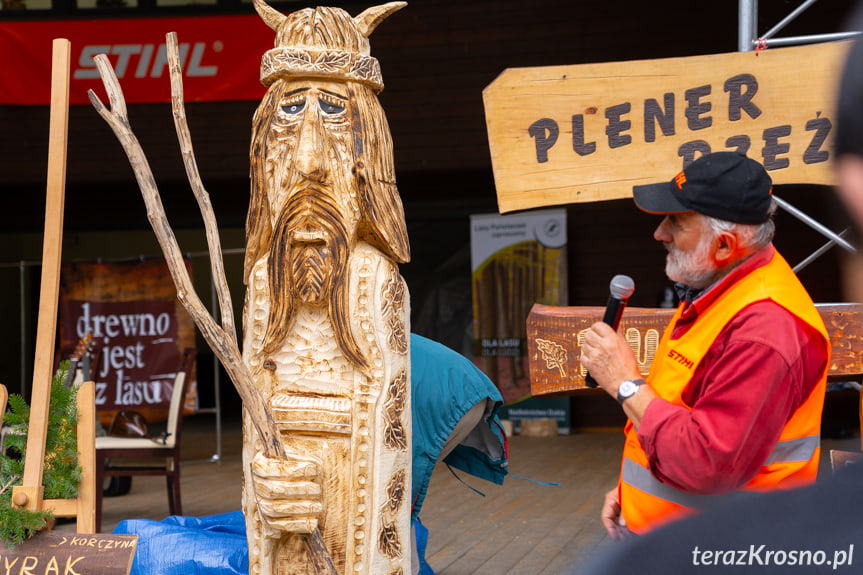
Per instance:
{"type": "Point", "coordinates": [567, 134]}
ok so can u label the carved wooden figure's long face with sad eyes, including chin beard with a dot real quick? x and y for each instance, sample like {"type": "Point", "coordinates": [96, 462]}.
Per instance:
{"type": "Point", "coordinates": [311, 192]}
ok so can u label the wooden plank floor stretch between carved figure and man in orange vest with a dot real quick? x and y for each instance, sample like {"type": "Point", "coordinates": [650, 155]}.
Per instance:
{"type": "Point", "coordinates": [505, 531]}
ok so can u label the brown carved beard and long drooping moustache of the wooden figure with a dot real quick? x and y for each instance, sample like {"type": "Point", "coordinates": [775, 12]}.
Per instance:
{"type": "Point", "coordinates": [308, 261]}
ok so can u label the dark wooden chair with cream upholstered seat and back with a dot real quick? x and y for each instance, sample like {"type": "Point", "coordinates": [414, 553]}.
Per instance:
{"type": "Point", "coordinates": [113, 454]}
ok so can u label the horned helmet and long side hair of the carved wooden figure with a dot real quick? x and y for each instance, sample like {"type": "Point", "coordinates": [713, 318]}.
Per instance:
{"type": "Point", "coordinates": [328, 43]}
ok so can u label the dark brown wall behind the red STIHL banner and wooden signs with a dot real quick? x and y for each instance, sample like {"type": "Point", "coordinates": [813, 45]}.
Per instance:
{"type": "Point", "coordinates": [436, 57]}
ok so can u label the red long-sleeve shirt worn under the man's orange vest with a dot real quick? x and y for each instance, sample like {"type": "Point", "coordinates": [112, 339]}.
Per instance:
{"type": "Point", "coordinates": [761, 367]}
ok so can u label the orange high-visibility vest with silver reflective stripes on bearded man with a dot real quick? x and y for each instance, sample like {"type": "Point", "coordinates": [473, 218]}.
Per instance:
{"type": "Point", "coordinates": [646, 502]}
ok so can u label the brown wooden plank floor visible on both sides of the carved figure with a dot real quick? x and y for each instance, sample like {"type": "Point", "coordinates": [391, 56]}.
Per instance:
{"type": "Point", "coordinates": [519, 528]}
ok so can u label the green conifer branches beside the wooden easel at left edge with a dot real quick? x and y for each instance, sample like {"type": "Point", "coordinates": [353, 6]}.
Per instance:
{"type": "Point", "coordinates": [61, 474]}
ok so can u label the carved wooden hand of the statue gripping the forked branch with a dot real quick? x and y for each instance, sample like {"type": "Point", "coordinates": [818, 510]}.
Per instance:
{"type": "Point", "coordinates": [289, 493]}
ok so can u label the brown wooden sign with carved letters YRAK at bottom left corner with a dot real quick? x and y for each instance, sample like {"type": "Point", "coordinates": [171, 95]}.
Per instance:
{"type": "Point", "coordinates": [71, 554]}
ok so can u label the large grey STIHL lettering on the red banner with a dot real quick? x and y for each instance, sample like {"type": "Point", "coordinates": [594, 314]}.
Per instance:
{"type": "Point", "coordinates": [146, 60]}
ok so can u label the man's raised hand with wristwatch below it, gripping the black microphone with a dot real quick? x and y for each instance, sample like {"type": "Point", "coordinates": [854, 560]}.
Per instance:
{"type": "Point", "coordinates": [608, 357]}
